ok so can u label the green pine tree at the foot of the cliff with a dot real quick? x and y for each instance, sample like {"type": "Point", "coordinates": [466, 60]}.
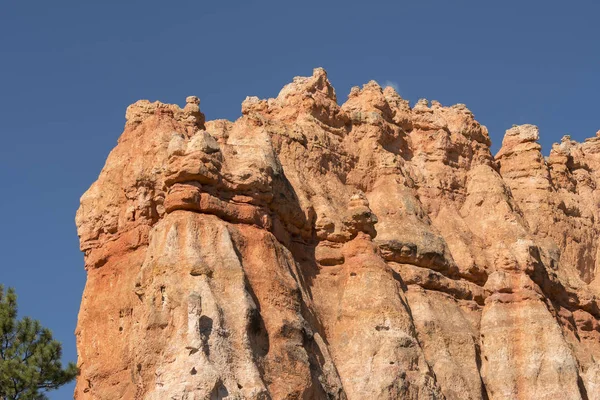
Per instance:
{"type": "Point", "coordinates": [29, 357]}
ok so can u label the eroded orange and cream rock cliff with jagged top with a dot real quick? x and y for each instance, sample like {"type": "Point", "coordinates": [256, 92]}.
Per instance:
{"type": "Point", "coordinates": [309, 250]}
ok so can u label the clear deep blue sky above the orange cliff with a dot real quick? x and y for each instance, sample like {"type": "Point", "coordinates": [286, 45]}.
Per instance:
{"type": "Point", "coordinates": [68, 70]}
